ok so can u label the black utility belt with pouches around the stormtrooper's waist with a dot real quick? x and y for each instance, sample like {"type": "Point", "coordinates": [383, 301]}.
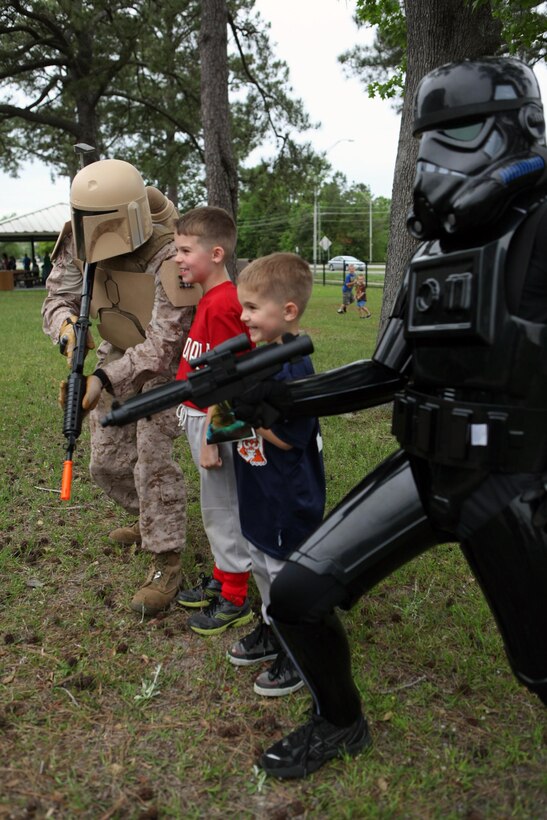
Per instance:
{"type": "Point", "coordinates": [466, 434]}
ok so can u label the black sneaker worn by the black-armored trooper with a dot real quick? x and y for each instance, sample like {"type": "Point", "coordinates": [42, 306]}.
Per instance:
{"type": "Point", "coordinates": [310, 746]}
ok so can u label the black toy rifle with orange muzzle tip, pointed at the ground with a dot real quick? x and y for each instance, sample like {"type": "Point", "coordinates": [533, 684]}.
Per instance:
{"type": "Point", "coordinates": [76, 384]}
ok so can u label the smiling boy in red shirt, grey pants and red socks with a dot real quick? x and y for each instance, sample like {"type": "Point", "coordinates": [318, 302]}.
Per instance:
{"type": "Point", "coordinates": [205, 237]}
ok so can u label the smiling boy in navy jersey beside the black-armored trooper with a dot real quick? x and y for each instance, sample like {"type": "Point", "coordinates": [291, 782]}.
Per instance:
{"type": "Point", "coordinates": [280, 473]}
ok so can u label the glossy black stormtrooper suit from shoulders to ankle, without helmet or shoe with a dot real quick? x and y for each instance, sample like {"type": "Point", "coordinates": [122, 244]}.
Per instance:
{"type": "Point", "coordinates": [469, 338]}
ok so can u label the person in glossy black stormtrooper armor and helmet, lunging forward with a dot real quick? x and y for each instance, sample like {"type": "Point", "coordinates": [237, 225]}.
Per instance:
{"type": "Point", "coordinates": [464, 358]}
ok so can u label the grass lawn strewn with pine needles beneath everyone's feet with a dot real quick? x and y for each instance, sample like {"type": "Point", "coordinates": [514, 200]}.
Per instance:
{"type": "Point", "coordinates": [103, 715]}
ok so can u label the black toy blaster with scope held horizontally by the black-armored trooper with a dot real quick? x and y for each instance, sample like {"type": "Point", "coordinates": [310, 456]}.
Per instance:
{"type": "Point", "coordinates": [221, 376]}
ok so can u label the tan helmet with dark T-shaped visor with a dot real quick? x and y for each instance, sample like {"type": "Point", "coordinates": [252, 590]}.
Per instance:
{"type": "Point", "coordinates": [110, 211]}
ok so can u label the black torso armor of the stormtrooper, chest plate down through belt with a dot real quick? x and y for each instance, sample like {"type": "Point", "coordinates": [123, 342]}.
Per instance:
{"type": "Point", "coordinates": [478, 394]}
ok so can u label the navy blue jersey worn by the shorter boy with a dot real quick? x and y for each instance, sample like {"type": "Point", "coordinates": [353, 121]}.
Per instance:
{"type": "Point", "coordinates": [281, 493]}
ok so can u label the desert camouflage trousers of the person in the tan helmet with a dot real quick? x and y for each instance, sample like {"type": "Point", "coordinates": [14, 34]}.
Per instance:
{"type": "Point", "coordinates": [134, 466]}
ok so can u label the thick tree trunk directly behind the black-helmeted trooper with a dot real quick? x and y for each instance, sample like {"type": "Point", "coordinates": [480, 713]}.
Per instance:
{"type": "Point", "coordinates": [438, 31]}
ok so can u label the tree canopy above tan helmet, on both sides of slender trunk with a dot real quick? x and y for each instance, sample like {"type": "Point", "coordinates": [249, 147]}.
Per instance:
{"type": "Point", "coordinates": [126, 79]}
